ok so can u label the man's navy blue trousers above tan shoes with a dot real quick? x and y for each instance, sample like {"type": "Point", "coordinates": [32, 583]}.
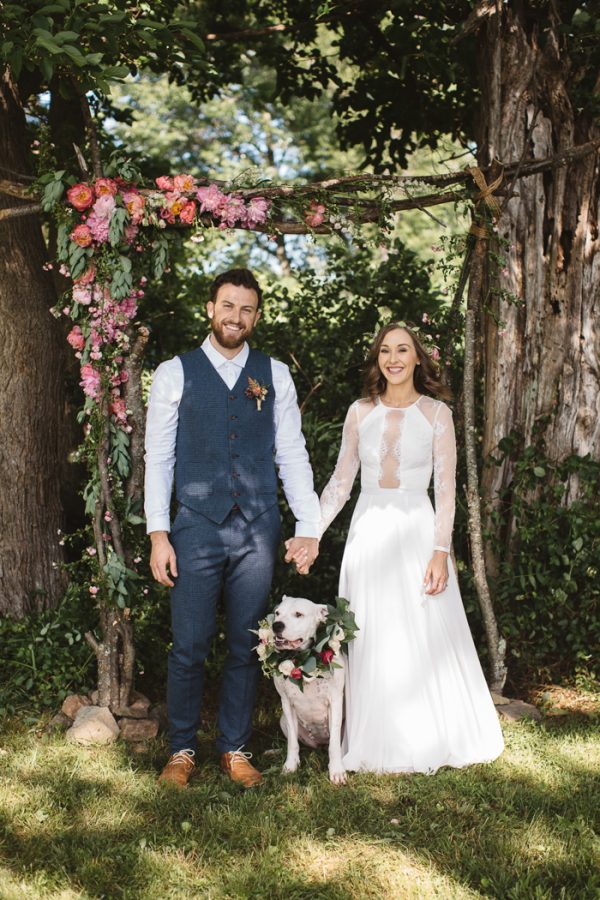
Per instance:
{"type": "Point", "coordinates": [235, 560]}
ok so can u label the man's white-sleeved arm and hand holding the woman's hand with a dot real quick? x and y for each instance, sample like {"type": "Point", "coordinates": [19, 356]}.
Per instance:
{"type": "Point", "coordinates": [291, 458]}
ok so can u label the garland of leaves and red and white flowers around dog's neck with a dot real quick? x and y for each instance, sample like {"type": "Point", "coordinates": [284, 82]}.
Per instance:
{"type": "Point", "coordinates": [302, 666]}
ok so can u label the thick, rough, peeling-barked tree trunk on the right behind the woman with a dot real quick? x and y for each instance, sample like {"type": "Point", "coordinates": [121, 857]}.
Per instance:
{"type": "Point", "coordinates": [541, 363]}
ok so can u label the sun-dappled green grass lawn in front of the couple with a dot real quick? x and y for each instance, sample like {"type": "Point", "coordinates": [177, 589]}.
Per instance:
{"type": "Point", "coordinates": [92, 823]}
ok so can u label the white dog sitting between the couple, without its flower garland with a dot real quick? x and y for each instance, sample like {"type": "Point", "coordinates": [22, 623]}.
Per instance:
{"type": "Point", "coordinates": [313, 716]}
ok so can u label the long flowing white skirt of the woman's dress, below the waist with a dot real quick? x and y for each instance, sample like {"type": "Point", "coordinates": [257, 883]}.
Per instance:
{"type": "Point", "coordinates": [416, 697]}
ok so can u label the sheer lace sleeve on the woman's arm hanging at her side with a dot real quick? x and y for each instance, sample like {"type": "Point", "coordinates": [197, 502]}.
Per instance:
{"type": "Point", "coordinates": [444, 477]}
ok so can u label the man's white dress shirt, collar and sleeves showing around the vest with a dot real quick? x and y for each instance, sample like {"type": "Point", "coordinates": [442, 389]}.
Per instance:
{"type": "Point", "coordinates": [291, 457]}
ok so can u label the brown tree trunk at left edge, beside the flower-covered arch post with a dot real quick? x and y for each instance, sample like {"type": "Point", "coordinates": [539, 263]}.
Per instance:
{"type": "Point", "coordinates": [31, 396]}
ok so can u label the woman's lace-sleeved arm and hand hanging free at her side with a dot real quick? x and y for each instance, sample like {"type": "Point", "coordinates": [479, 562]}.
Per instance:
{"type": "Point", "coordinates": [444, 484]}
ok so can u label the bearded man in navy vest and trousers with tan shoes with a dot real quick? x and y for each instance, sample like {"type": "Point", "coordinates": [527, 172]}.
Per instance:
{"type": "Point", "coordinates": [222, 418]}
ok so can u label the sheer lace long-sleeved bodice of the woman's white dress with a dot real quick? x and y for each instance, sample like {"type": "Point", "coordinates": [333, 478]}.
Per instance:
{"type": "Point", "coordinates": [397, 449]}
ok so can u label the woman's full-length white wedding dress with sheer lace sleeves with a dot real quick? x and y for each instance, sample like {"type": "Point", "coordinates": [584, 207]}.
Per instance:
{"type": "Point", "coordinates": [416, 697]}
